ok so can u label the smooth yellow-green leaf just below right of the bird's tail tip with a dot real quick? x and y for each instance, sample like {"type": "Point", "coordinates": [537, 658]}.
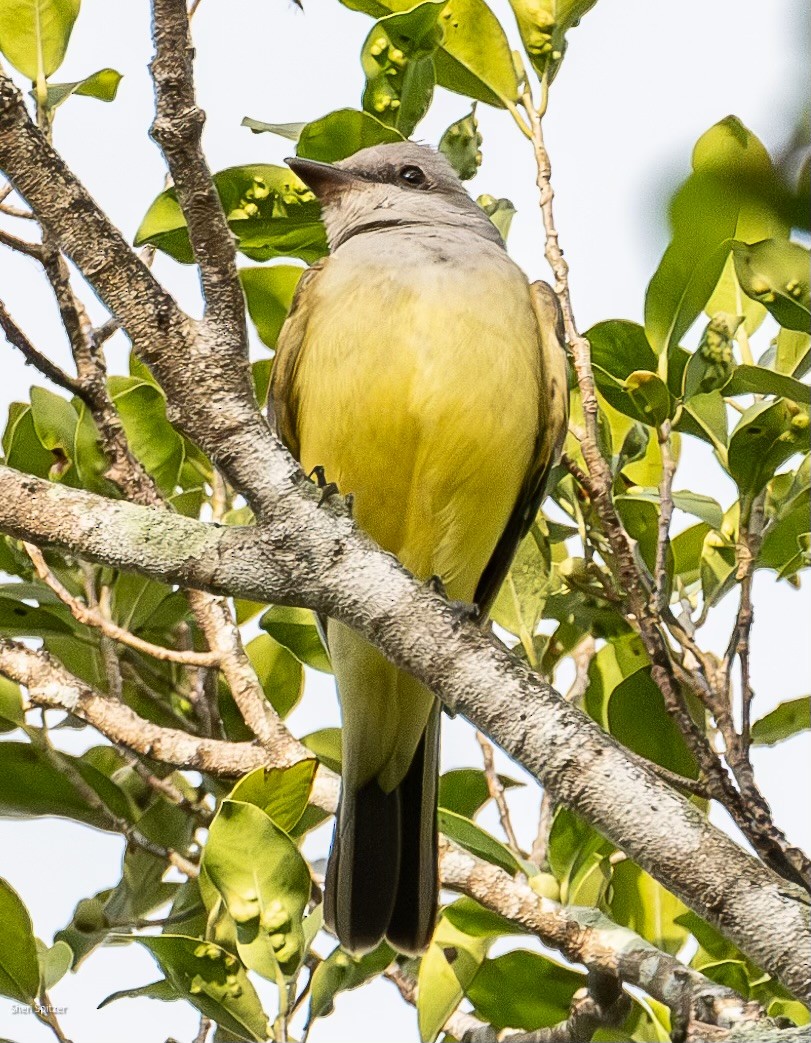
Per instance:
{"type": "Point", "coordinates": [447, 971]}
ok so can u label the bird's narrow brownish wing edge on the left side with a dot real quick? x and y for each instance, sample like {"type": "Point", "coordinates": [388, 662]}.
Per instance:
{"type": "Point", "coordinates": [283, 401]}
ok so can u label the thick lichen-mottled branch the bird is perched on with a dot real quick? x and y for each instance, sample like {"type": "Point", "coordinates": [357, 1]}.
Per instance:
{"type": "Point", "coordinates": [284, 563]}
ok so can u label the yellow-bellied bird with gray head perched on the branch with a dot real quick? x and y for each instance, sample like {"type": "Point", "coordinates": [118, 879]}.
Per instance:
{"type": "Point", "coordinates": [420, 373]}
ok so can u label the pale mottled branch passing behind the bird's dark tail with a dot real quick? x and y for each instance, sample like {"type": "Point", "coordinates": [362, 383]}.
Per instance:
{"type": "Point", "coordinates": [582, 935]}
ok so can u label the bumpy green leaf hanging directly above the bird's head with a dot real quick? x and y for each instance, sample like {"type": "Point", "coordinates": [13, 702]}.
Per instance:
{"type": "Point", "coordinates": [399, 65]}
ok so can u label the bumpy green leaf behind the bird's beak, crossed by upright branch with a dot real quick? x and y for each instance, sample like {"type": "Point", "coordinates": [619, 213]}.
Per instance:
{"type": "Point", "coordinates": [272, 213]}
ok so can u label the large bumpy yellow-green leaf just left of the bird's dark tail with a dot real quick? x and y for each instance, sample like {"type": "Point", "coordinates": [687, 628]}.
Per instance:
{"type": "Point", "coordinates": [265, 885]}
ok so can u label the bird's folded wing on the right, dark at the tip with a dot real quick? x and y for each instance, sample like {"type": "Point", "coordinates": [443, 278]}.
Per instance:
{"type": "Point", "coordinates": [553, 421]}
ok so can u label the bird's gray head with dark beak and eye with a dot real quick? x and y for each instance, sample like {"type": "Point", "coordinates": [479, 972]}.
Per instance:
{"type": "Point", "coordinates": [392, 186]}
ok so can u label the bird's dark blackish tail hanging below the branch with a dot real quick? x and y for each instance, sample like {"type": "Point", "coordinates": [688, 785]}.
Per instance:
{"type": "Point", "coordinates": [382, 881]}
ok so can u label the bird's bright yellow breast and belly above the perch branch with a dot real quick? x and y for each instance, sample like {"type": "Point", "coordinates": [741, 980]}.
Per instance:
{"type": "Point", "coordinates": [419, 390]}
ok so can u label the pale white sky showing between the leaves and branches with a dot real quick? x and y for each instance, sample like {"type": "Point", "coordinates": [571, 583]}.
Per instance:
{"type": "Point", "coordinates": [642, 82]}
